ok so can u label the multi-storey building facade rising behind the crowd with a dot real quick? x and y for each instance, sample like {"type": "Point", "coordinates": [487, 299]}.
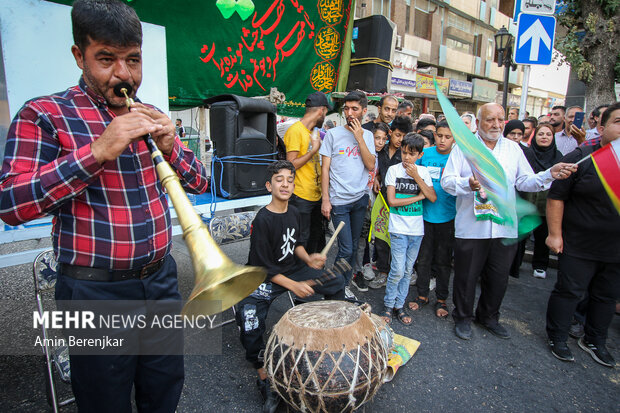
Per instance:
{"type": "Point", "coordinates": [454, 41]}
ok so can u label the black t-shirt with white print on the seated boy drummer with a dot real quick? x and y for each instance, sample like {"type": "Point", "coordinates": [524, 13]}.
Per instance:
{"type": "Point", "coordinates": [273, 240]}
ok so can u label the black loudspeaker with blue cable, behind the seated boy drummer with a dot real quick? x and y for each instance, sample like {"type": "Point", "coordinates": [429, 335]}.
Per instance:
{"type": "Point", "coordinates": [243, 132]}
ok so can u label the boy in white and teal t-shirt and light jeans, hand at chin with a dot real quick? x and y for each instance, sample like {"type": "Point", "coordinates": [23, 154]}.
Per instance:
{"type": "Point", "coordinates": [407, 185]}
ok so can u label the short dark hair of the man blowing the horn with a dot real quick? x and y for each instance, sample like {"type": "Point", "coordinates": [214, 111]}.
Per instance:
{"type": "Point", "coordinates": [108, 21]}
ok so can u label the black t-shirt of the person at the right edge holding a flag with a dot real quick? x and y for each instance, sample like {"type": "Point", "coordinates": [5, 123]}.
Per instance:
{"type": "Point", "coordinates": [590, 224]}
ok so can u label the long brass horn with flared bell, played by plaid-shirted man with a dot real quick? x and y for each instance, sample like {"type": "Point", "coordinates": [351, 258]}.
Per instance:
{"type": "Point", "coordinates": [219, 283]}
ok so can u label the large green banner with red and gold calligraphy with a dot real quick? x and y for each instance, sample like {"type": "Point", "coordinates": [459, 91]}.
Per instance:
{"type": "Point", "coordinates": [247, 47]}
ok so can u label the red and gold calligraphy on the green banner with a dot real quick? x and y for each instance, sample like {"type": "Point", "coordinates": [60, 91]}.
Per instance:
{"type": "Point", "coordinates": [271, 40]}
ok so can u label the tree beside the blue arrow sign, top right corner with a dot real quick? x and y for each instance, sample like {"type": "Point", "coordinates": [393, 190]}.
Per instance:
{"type": "Point", "coordinates": [591, 44]}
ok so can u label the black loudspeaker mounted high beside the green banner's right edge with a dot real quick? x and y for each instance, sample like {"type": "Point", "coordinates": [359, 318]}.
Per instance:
{"type": "Point", "coordinates": [374, 40]}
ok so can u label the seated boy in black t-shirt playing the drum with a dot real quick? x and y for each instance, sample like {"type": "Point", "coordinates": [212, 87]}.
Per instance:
{"type": "Point", "coordinates": [273, 245]}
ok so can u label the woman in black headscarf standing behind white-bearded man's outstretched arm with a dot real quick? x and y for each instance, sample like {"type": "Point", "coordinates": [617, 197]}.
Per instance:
{"type": "Point", "coordinates": [542, 155]}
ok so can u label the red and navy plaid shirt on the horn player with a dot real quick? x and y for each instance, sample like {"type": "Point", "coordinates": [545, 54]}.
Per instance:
{"type": "Point", "coordinates": [112, 216]}
